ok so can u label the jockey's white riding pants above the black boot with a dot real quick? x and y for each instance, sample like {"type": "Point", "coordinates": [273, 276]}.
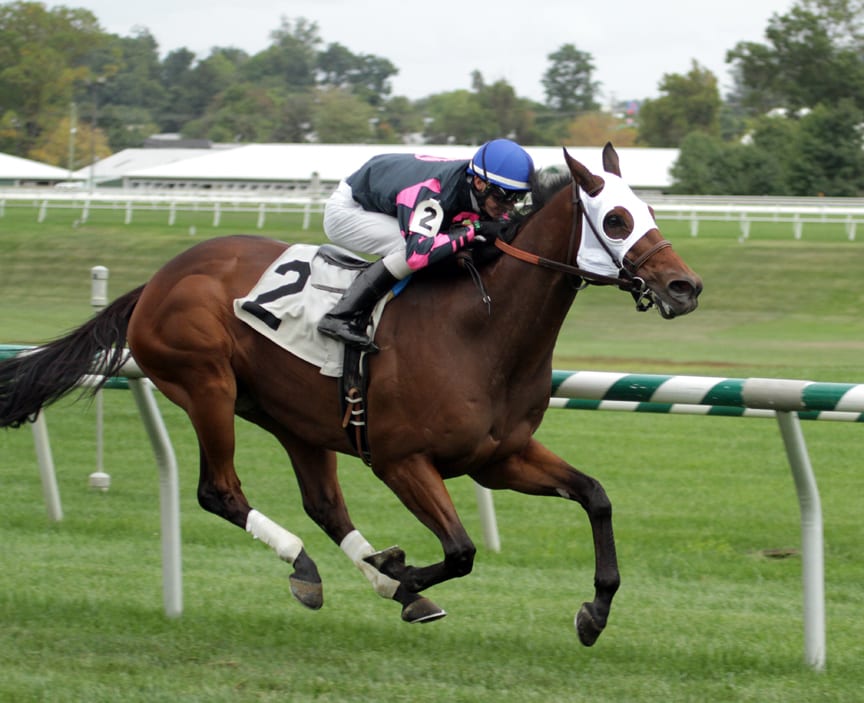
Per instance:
{"type": "Point", "coordinates": [348, 225]}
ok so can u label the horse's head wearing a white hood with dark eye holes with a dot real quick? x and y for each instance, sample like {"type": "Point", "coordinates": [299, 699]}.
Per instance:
{"type": "Point", "coordinates": [620, 238]}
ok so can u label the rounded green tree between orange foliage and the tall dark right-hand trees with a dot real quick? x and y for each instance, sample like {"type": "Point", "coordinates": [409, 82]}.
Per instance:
{"type": "Point", "coordinates": [688, 103]}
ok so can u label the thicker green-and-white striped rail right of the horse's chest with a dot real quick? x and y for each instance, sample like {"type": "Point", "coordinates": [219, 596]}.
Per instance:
{"type": "Point", "coordinates": [707, 395]}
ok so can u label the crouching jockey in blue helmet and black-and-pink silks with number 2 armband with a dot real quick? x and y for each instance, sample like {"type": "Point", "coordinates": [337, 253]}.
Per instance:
{"type": "Point", "coordinates": [413, 211]}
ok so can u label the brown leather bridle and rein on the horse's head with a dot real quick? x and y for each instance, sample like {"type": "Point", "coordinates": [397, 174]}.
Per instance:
{"type": "Point", "coordinates": [627, 279]}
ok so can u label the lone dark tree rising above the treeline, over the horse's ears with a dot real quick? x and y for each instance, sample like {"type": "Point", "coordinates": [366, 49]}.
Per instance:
{"type": "Point", "coordinates": [567, 82]}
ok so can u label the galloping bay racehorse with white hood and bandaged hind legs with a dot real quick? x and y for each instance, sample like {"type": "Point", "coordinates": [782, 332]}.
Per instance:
{"type": "Point", "coordinates": [457, 390]}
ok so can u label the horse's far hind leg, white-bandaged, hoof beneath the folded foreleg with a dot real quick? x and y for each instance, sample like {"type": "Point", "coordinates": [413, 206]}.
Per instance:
{"type": "Point", "coordinates": [316, 471]}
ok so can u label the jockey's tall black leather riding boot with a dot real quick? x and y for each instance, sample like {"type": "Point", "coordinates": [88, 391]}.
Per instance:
{"type": "Point", "coordinates": [349, 318]}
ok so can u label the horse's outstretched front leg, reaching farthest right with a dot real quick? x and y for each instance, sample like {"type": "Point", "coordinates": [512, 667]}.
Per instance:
{"type": "Point", "coordinates": [537, 471]}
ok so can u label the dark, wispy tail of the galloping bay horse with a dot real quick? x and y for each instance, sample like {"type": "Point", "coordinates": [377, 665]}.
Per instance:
{"type": "Point", "coordinates": [34, 379]}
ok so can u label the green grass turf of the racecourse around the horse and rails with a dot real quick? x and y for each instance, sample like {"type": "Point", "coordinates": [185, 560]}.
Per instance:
{"type": "Point", "coordinates": [702, 614]}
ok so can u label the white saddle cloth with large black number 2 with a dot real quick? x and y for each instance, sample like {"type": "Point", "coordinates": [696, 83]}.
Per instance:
{"type": "Point", "coordinates": [292, 296]}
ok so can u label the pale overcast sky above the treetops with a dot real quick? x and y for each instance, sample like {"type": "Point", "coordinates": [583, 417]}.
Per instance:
{"type": "Point", "coordinates": [437, 45]}
